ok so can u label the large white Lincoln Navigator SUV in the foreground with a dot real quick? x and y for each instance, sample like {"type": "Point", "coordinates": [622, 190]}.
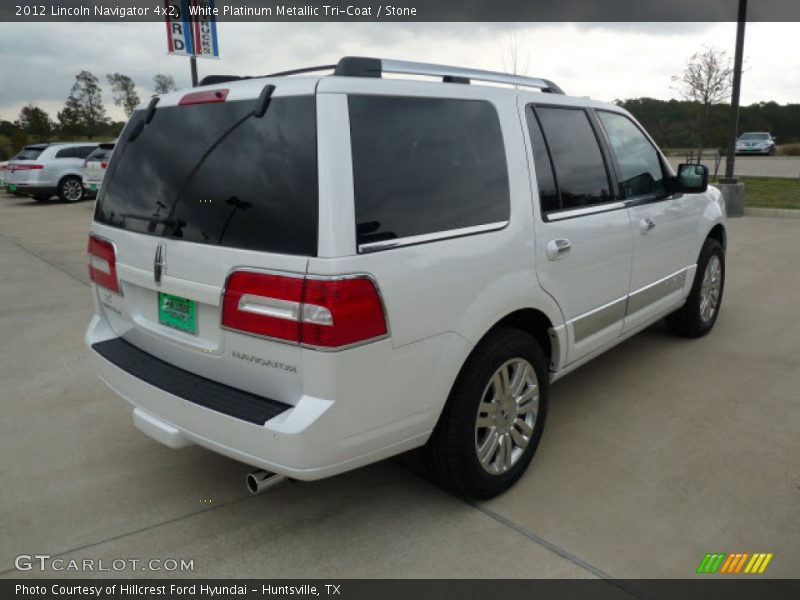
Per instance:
{"type": "Point", "coordinates": [309, 274]}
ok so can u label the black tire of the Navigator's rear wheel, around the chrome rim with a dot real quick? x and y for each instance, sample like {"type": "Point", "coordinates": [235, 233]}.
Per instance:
{"type": "Point", "coordinates": [452, 449]}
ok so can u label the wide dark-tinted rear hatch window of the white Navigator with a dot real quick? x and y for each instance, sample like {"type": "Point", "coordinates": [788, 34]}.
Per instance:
{"type": "Point", "coordinates": [215, 174]}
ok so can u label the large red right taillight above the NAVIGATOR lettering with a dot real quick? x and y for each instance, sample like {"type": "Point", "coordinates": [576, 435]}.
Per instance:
{"type": "Point", "coordinates": [315, 312]}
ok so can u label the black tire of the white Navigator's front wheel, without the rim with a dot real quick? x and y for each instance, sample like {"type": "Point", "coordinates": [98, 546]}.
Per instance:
{"type": "Point", "coordinates": [688, 321]}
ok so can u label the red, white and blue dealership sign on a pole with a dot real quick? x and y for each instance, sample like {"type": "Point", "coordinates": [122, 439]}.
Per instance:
{"type": "Point", "coordinates": [191, 28]}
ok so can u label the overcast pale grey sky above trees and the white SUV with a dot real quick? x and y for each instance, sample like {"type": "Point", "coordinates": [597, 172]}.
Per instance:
{"type": "Point", "coordinates": [606, 61]}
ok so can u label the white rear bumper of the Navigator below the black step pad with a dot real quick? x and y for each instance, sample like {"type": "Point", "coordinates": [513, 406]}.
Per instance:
{"type": "Point", "coordinates": [305, 441]}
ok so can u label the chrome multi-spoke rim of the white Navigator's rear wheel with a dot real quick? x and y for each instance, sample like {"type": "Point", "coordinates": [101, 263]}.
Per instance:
{"type": "Point", "coordinates": [506, 416]}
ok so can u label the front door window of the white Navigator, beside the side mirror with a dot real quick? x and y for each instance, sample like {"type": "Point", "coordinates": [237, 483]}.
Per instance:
{"type": "Point", "coordinates": [640, 167]}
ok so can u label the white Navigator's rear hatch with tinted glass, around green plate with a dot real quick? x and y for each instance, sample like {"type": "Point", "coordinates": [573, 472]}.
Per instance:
{"type": "Point", "coordinates": [211, 188]}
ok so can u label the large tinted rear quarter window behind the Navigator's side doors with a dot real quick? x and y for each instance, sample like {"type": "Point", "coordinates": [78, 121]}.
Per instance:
{"type": "Point", "coordinates": [424, 165]}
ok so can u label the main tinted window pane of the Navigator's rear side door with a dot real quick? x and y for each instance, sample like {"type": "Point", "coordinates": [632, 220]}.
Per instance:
{"type": "Point", "coordinates": [578, 162]}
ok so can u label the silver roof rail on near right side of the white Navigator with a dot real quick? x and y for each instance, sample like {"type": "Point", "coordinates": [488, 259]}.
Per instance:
{"type": "Point", "coordinates": [359, 66]}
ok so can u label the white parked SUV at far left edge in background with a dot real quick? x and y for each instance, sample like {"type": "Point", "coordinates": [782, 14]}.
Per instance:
{"type": "Point", "coordinates": [45, 170]}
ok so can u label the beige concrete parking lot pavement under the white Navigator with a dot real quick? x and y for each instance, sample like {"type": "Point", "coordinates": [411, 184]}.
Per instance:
{"type": "Point", "coordinates": [659, 451]}
